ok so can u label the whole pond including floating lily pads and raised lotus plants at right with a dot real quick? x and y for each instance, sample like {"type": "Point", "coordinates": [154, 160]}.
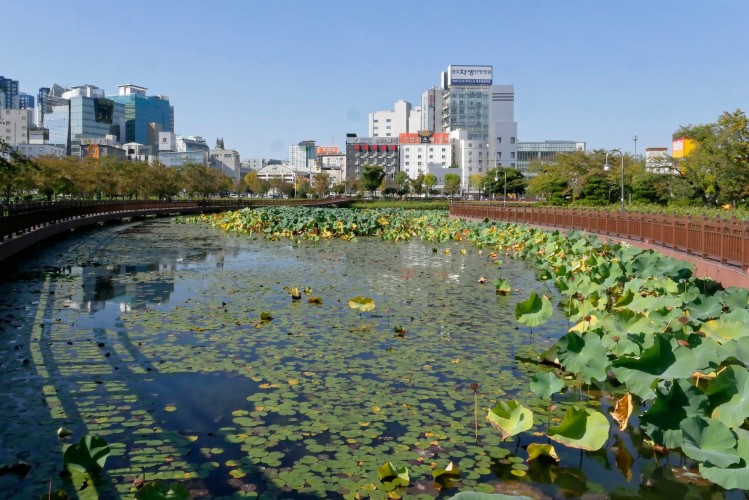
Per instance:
{"type": "Point", "coordinates": [152, 341]}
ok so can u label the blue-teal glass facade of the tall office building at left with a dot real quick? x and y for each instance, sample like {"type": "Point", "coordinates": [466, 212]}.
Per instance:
{"type": "Point", "coordinates": [141, 110]}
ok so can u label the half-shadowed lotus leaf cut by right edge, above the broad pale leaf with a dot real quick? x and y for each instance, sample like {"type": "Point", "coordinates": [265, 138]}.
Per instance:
{"type": "Point", "coordinates": [729, 396]}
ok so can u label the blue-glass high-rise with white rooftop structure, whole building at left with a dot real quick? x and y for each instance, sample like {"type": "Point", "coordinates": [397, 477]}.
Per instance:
{"type": "Point", "coordinates": [145, 116]}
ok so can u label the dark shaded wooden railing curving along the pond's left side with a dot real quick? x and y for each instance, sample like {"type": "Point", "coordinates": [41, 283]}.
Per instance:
{"type": "Point", "coordinates": [24, 225]}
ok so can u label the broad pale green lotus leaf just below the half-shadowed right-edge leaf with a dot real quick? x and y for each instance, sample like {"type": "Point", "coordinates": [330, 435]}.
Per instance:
{"type": "Point", "coordinates": [709, 440]}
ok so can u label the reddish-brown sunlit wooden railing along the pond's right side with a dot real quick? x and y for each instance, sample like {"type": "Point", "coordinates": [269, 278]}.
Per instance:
{"type": "Point", "coordinates": [723, 240]}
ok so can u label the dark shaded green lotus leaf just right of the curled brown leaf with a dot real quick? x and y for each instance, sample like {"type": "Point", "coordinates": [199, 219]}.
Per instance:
{"type": "Point", "coordinates": [661, 421]}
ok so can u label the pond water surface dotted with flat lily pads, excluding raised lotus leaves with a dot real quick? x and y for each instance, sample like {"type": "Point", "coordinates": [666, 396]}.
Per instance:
{"type": "Point", "coordinates": [150, 335]}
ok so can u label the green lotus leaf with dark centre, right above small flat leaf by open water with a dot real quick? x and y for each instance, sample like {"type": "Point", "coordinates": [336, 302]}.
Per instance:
{"type": "Point", "coordinates": [584, 355]}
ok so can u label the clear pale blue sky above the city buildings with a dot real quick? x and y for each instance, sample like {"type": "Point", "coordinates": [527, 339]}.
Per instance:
{"type": "Point", "coordinates": [266, 74]}
